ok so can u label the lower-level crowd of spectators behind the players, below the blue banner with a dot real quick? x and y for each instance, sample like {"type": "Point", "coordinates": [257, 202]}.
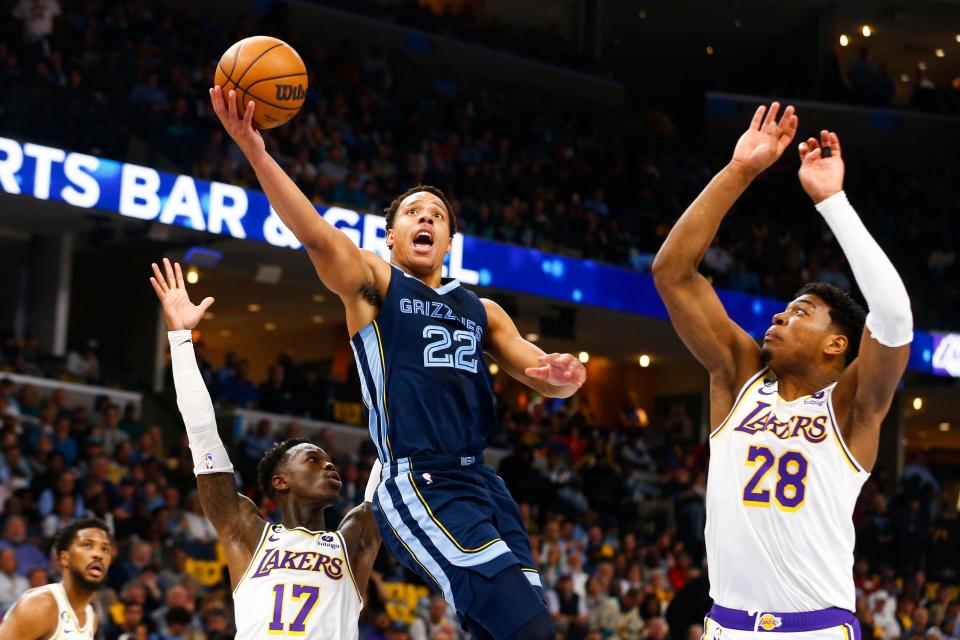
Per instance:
{"type": "Point", "coordinates": [615, 515]}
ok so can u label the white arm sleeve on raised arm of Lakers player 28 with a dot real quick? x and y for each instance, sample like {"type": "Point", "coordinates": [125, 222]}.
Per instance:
{"type": "Point", "coordinates": [889, 318]}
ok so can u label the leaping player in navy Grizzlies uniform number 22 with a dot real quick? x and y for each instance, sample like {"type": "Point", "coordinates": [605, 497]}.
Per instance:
{"type": "Point", "coordinates": [419, 343]}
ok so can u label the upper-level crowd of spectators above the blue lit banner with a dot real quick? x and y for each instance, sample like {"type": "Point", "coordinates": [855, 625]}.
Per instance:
{"type": "Point", "coordinates": [519, 166]}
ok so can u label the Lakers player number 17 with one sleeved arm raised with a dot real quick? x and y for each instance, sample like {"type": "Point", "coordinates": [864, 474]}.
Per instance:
{"type": "Point", "coordinates": [290, 579]}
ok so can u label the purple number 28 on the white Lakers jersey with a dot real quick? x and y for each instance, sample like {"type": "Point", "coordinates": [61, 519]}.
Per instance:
{"type": "Point", "coordinates": [790, 489]}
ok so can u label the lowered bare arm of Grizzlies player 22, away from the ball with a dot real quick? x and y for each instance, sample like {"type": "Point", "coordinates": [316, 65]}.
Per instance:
{"type": "Point", "coordinates": [555, 375]}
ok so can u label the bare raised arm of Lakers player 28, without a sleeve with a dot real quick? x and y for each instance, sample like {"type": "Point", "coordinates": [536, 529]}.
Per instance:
{"type": "Point", "coordinates": [728, 353]}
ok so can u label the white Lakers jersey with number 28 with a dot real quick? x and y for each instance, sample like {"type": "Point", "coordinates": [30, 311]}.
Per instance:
{"type": "Point", "coordinates": [780, 496]}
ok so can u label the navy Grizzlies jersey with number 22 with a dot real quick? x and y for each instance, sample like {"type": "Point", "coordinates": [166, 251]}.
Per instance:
{"type": "Point", "coordinates": [422, 372]}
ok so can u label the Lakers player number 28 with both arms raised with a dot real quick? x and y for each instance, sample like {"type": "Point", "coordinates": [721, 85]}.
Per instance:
{"type": "Point", "coordinates": [797, 420]}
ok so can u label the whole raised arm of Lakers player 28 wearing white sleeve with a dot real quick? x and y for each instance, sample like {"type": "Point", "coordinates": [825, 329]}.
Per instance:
{"type": "Point", "coordinates": [865, 390]}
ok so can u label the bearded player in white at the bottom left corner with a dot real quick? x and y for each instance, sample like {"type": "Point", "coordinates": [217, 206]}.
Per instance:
{"type": "Point", "coordinates": [62, 610]}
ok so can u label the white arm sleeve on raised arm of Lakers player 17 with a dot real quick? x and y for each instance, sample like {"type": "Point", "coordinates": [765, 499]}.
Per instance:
{"type": "Point", "coordinates": [196, 407]}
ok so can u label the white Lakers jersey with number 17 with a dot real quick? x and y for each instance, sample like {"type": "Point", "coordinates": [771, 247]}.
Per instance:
{"type": "Point", "coordinates": [299, 584]}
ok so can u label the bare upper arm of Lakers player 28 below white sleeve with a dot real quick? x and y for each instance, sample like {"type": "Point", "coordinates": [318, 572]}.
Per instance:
{"type": "Point", "coordinates": [864, 393]}
